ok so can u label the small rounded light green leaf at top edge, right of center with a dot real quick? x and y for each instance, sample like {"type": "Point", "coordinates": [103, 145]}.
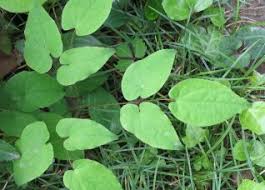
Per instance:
{"type": "Point", "coordinates": [177, 10]}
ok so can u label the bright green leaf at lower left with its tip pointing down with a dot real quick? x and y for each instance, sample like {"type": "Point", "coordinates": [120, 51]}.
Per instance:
{"type": "Point", "coordinates": [36, 157]}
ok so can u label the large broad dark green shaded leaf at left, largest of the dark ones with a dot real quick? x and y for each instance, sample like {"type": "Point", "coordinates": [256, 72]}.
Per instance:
{"type": "Point", "coordinates": [29, 91]}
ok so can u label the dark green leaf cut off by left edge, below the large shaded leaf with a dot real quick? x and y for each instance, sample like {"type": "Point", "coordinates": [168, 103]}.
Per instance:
{"type": "Point", "coordinates": [13, 122]}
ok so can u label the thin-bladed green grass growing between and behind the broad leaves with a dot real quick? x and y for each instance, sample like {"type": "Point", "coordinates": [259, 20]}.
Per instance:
{"type": "Point", "coordinates": [140, 167]}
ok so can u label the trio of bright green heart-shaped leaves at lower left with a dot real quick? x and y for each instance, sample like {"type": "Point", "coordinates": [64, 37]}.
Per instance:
{"type": "Point", "coordinates": [81, 134]}
